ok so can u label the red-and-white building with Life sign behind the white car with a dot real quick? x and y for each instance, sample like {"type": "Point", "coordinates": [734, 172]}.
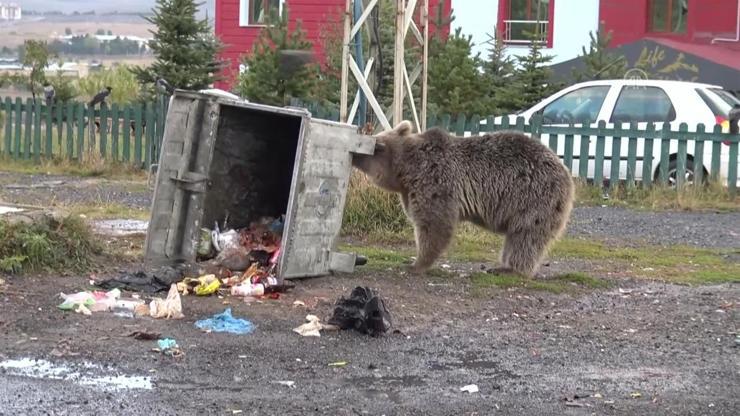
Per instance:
{"type": "Point", "coordinates": [680, 33]}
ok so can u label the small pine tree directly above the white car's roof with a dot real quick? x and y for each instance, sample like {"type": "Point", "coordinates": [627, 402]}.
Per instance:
{"type": "Point", "coordinates": [599, 62]}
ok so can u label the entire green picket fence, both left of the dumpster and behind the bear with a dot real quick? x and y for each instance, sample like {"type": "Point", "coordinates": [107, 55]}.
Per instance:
{"type": "Point", "coordinates": [645, 154]}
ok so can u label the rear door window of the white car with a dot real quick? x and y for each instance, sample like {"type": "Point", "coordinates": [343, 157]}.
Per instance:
{"type": "Point", "coordinates": [642, 104]}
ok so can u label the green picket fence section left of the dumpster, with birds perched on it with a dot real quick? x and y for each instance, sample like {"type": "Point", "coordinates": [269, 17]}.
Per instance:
{"type": "Point", "coordinates": [128, 134]}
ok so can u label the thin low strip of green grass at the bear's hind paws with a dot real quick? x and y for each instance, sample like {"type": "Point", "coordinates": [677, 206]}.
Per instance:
{"type": "Point", "coordinates": [565, 283]}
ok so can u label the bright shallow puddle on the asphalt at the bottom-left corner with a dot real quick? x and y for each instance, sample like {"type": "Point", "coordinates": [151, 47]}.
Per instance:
{"type": "Point", "coordinates": [85, 374]}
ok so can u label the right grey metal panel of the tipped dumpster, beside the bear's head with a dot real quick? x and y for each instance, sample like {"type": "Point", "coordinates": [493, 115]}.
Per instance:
{"type": "Point", "coordinates": [314, 219]}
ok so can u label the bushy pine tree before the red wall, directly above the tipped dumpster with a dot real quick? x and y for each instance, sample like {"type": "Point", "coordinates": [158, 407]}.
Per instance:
{"type": "Point", "coordinates": [262, 81]}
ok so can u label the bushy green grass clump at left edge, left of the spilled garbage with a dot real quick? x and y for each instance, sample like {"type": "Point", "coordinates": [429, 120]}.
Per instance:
{"type": "Point", "coordinates": [48, 244]}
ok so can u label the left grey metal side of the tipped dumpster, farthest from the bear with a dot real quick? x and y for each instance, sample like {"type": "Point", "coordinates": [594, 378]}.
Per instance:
{"type": "Point", "coordinates": [181, 179]}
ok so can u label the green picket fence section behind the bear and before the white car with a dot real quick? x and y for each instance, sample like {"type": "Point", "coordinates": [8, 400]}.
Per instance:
{"type": "Point", "coordinates": [633, 155]}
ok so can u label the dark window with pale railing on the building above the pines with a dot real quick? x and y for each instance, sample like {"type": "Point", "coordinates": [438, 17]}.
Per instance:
{"type": "Point", "coordinates": [525, 19]}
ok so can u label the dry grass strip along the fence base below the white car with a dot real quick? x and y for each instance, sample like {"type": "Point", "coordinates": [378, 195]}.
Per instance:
{"type": "Point", "coordinates": [713, 197]}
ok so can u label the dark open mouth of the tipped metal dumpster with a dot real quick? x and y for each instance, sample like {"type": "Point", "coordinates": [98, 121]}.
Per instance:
{"type": "Point", "coordinates": [252, 166]}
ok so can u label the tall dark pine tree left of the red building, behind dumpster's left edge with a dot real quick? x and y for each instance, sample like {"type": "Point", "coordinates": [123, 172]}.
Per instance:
{"type": "Point", "coordinates": [185, 47]}
